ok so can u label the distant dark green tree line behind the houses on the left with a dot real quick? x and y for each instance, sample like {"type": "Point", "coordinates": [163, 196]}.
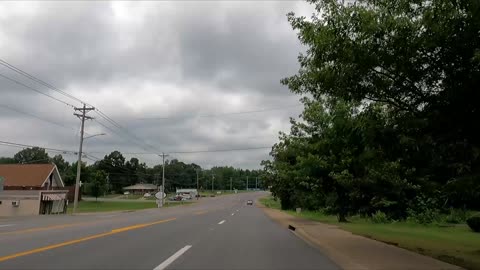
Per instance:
{"type": "Point", "coordinates": [114, 172]}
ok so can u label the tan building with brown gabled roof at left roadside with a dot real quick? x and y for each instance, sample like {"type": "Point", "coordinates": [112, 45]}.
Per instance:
{"type": "Point", "coordinates": [31, 189]}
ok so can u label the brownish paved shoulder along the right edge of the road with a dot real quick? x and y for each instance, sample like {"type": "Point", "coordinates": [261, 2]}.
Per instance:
{"type": "Point", "coordinates": [351, 251]}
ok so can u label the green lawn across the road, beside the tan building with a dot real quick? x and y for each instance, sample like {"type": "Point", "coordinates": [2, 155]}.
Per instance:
{"type": "Point", "coordinates": [92, 206]}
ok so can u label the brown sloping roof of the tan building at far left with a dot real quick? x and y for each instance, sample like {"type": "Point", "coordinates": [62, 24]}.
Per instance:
{"type": "Point", "coordinates": [25, 174]}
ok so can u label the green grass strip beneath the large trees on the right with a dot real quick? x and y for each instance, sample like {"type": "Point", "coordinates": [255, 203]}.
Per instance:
{"type": "Point", "coordinates": [455, 244]}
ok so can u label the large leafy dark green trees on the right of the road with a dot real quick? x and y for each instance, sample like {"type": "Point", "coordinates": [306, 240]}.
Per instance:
{"type": "Point", "coordinates": [391, 95]}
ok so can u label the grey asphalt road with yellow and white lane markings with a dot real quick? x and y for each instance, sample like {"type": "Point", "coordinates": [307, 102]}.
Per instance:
{"type": "Point", "coordinates": [215, 233]}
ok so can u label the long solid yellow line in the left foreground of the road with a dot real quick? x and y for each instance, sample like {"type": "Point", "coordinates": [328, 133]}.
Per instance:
{"type": "Point", "coordinates": [115, 231]}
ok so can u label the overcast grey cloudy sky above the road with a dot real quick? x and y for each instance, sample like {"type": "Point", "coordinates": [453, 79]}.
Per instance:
{"type": "Point", "coordinates": [174, 74]}
